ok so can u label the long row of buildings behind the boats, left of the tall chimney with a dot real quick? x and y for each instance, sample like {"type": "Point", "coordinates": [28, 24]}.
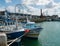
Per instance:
{"type": "Point", "coordinates": [20, 16]}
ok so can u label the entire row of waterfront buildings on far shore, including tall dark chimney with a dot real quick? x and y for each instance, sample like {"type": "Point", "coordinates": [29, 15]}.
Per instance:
{"type": "Point", "coordinates": [23, 17]}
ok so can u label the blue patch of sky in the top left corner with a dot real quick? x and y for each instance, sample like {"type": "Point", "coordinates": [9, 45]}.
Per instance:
{"type": "Point", "coordinates": [7, 2]}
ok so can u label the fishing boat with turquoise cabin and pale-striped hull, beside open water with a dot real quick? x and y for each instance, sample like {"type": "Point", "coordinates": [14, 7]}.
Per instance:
{"type": "Point", "coordinates": [34, 29]}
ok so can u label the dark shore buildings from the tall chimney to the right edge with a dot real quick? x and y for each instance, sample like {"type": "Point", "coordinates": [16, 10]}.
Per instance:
{"type": "Point", "coordinates": [48, 17]}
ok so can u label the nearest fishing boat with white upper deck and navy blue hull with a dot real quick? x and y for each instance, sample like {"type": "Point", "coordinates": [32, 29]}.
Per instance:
{"type": "Point", "coordinates": [12, 31]}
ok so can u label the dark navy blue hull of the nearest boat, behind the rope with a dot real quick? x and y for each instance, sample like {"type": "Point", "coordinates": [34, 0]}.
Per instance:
{"type": "Point", "coordinates": [14, 35]}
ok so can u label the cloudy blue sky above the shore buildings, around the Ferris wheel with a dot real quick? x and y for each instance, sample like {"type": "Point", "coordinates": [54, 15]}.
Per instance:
{"type": "Point", "coordinates": [50, 6]}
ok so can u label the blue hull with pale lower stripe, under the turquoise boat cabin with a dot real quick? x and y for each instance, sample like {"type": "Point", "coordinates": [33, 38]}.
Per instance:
{"type": "Point", "coordinates": [34, 33]}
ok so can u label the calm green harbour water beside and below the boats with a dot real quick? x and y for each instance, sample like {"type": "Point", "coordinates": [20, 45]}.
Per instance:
{"type": "Point", "coordinates": [49, 36]}
